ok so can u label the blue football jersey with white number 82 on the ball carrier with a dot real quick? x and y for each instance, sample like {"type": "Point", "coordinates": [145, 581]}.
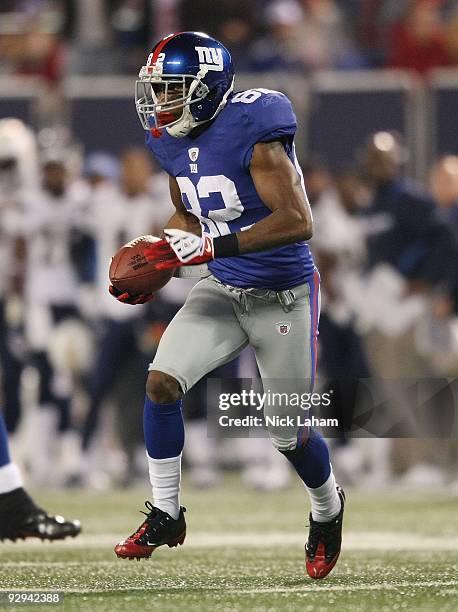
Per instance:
{"type": "Point", "coordinates": [212, 171]}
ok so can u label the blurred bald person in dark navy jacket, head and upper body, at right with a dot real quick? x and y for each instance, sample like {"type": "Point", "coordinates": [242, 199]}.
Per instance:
{"type": "Point", "coordinates": [406, 231]}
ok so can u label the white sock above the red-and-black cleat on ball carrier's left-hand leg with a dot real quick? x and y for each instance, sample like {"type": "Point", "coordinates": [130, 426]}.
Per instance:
{"type": "Point", "coordinates": [165, 476]}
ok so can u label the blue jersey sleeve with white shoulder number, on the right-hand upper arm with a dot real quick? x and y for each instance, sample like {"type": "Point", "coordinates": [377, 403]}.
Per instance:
{"type": "Point", "coordinates": [267, 118]}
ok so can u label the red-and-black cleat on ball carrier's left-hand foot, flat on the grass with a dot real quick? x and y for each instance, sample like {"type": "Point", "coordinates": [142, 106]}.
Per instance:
{"type": "Point", "coordinates": [158, 529]}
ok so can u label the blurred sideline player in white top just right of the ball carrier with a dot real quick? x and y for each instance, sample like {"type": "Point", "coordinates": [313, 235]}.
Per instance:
{"type": "Point", "coordinates": [339, 248]}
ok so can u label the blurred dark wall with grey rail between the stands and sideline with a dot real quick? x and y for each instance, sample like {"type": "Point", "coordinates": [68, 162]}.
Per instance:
{"type": "Point", "coordinates": [336, 110]}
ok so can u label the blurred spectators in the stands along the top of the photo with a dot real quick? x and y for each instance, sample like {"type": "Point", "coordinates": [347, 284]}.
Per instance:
{"type": "Point", "coordinates": [53, 38]}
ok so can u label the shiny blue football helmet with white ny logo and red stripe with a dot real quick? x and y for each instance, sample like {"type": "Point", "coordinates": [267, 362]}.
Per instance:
{"type": "Point", "coordinates": [186, 82]}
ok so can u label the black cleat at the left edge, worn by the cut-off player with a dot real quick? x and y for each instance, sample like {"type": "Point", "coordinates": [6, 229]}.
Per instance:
{"type": "Point", "coordinates": [21, 518]}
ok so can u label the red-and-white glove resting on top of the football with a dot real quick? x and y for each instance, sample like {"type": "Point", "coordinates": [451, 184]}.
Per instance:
{"type": "Point", "coordinates": [180, 249]}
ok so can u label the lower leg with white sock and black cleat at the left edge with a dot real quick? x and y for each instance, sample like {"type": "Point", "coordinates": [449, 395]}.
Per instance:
{"type": "Point", "coordinates": [20, 517]}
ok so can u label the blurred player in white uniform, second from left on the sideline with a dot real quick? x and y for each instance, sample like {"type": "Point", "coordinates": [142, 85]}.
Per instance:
{"type": "Point", "coordinates": [51, 283]}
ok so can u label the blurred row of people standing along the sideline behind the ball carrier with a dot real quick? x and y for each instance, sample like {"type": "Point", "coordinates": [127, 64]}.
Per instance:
{"type": "Point", "coordinates": [74, 361]}
